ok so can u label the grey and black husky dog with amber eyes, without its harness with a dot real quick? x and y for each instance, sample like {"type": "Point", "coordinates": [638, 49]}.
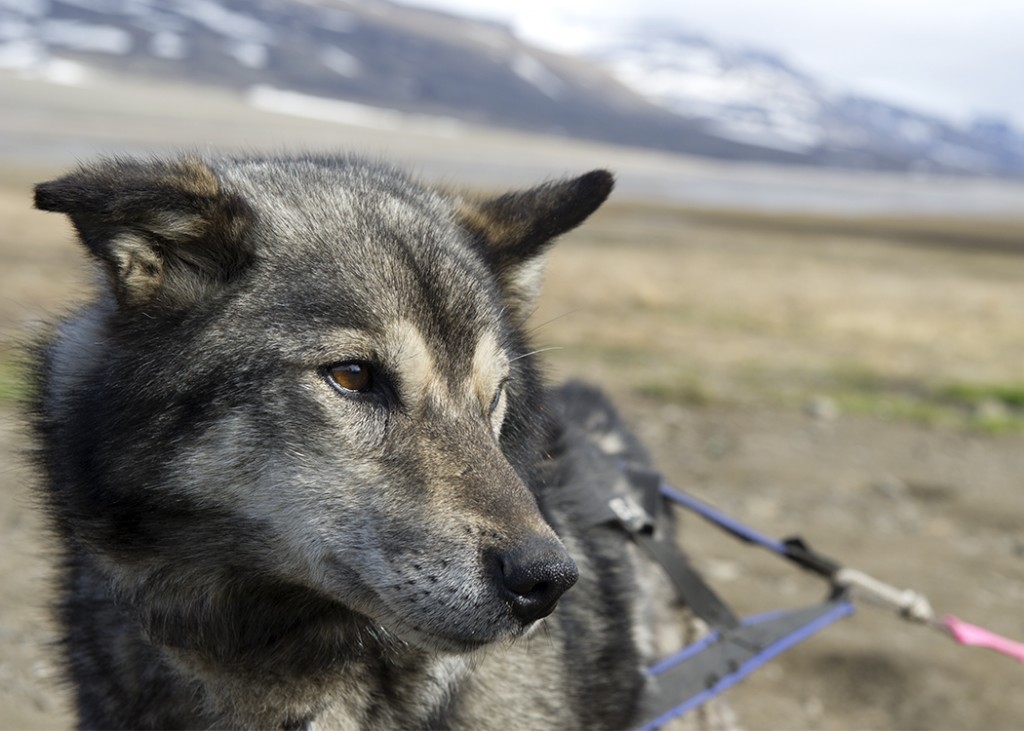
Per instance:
{"type": "Point", "coordinates": [304, 468]}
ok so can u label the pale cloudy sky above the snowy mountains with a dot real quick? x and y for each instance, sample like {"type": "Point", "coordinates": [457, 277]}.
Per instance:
{"type": "Point", "coordinates": [958, 59]}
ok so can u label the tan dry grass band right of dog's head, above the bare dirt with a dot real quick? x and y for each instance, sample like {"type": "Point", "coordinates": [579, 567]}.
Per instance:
{"type": "Point", "coordinates": [882, 316]}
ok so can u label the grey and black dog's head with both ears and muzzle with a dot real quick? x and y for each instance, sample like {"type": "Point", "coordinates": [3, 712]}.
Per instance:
{"type": "Point", "coordinates": [314, 372]}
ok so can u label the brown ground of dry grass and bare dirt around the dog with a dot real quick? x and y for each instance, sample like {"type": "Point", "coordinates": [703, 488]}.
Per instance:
{"type": "Point", "coordinates": [799, 374]}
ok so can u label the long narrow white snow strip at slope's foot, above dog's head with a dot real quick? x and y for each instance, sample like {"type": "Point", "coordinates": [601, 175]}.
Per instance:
{"type": "Point", "coordinates": [348, 113]}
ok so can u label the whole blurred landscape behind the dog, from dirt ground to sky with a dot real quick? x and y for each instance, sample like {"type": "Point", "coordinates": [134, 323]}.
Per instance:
{"type": "Point", "coordinates": [807, 291]}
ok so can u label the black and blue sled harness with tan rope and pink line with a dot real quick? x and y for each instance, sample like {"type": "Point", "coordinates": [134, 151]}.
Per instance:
{"type": "Point", "coordinates": [737, 648]}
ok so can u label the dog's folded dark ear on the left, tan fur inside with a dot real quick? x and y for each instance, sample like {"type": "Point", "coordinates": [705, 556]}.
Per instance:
{"type": "Point", "coordinates": [160, 229]}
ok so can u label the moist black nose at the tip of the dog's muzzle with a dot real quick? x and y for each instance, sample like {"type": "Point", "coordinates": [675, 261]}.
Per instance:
{"type": "Point", "coordinates": [533, 577]}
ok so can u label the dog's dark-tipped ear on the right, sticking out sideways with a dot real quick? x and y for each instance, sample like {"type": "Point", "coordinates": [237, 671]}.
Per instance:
{"type": "Point", "coordinates": [517, 230]}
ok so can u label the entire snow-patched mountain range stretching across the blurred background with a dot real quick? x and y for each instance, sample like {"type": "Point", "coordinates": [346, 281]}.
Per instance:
{"type": "Point", "coordinates": [650, 87]}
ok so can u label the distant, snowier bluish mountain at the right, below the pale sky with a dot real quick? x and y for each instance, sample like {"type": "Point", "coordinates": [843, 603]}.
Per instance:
{"type": "Point", "coordinates": [757, 98]}
